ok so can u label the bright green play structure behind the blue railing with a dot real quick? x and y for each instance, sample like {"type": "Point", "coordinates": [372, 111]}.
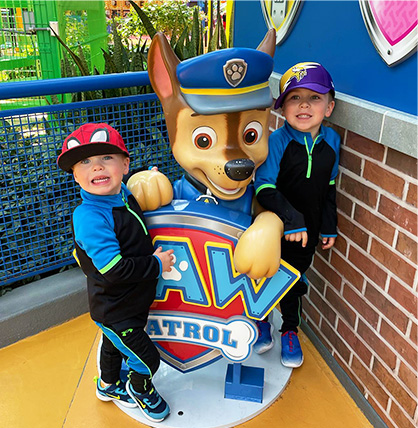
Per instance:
{"type": "Point", "coordinates": [29, 49]}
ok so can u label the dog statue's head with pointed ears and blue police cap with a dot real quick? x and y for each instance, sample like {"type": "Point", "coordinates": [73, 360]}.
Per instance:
{"type": "Point", "coordinates": [217, 108]}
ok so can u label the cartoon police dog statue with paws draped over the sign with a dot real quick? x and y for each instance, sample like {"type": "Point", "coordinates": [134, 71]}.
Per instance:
{"type": "Point", "coordinates": [217, 109]}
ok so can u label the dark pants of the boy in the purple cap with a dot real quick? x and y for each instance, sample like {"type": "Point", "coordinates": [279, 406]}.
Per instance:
{"type": "Point", "coordinates": [291, 304]}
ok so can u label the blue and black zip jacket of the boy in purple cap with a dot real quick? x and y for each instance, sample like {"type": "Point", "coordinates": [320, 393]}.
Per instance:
{"type": "Point", "coordinates": [297, 181]}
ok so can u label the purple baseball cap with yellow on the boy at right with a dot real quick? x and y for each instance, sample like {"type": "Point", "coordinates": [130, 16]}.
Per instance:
{"type": "Point", "coordinates": [308, 75]}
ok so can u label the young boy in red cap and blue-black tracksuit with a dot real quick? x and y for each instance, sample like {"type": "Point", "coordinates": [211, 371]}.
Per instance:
{"type": "Point", "coordinates": [116, 254]}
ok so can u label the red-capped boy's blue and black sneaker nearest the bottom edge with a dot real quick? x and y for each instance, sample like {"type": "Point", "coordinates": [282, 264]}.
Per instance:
{"type": "Point", "coordinates": [152, 405]}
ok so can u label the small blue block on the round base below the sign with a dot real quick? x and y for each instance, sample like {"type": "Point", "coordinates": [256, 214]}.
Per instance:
{"type": "Point", "coordinates": [244, 383]}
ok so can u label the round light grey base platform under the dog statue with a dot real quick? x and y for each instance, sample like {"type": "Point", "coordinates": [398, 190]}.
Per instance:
{"type": "Point", "coordinates": [196, 399]}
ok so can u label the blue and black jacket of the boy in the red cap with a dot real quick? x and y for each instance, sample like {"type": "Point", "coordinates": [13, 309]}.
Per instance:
{"type": "Point", "coordinates": [115, 251]}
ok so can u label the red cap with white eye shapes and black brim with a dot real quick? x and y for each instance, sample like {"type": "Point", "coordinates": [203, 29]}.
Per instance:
{"type": "Point", "coordinates": [91, 139]}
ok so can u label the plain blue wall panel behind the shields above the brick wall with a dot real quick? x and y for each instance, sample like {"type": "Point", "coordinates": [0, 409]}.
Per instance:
{"type": "Point", "coordinates": [334, 34]}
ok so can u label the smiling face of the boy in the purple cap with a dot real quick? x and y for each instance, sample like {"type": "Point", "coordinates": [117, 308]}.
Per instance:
{"type": "Point", "coordinates": [305, 110]}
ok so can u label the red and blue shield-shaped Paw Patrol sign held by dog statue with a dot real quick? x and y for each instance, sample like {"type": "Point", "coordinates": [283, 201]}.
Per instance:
{"type": "Point", "coordinates": [203, 307]}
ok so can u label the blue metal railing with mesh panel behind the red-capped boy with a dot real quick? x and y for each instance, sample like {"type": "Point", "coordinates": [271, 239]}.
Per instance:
{"type": "Point", "coordinates": [37, 198]}
